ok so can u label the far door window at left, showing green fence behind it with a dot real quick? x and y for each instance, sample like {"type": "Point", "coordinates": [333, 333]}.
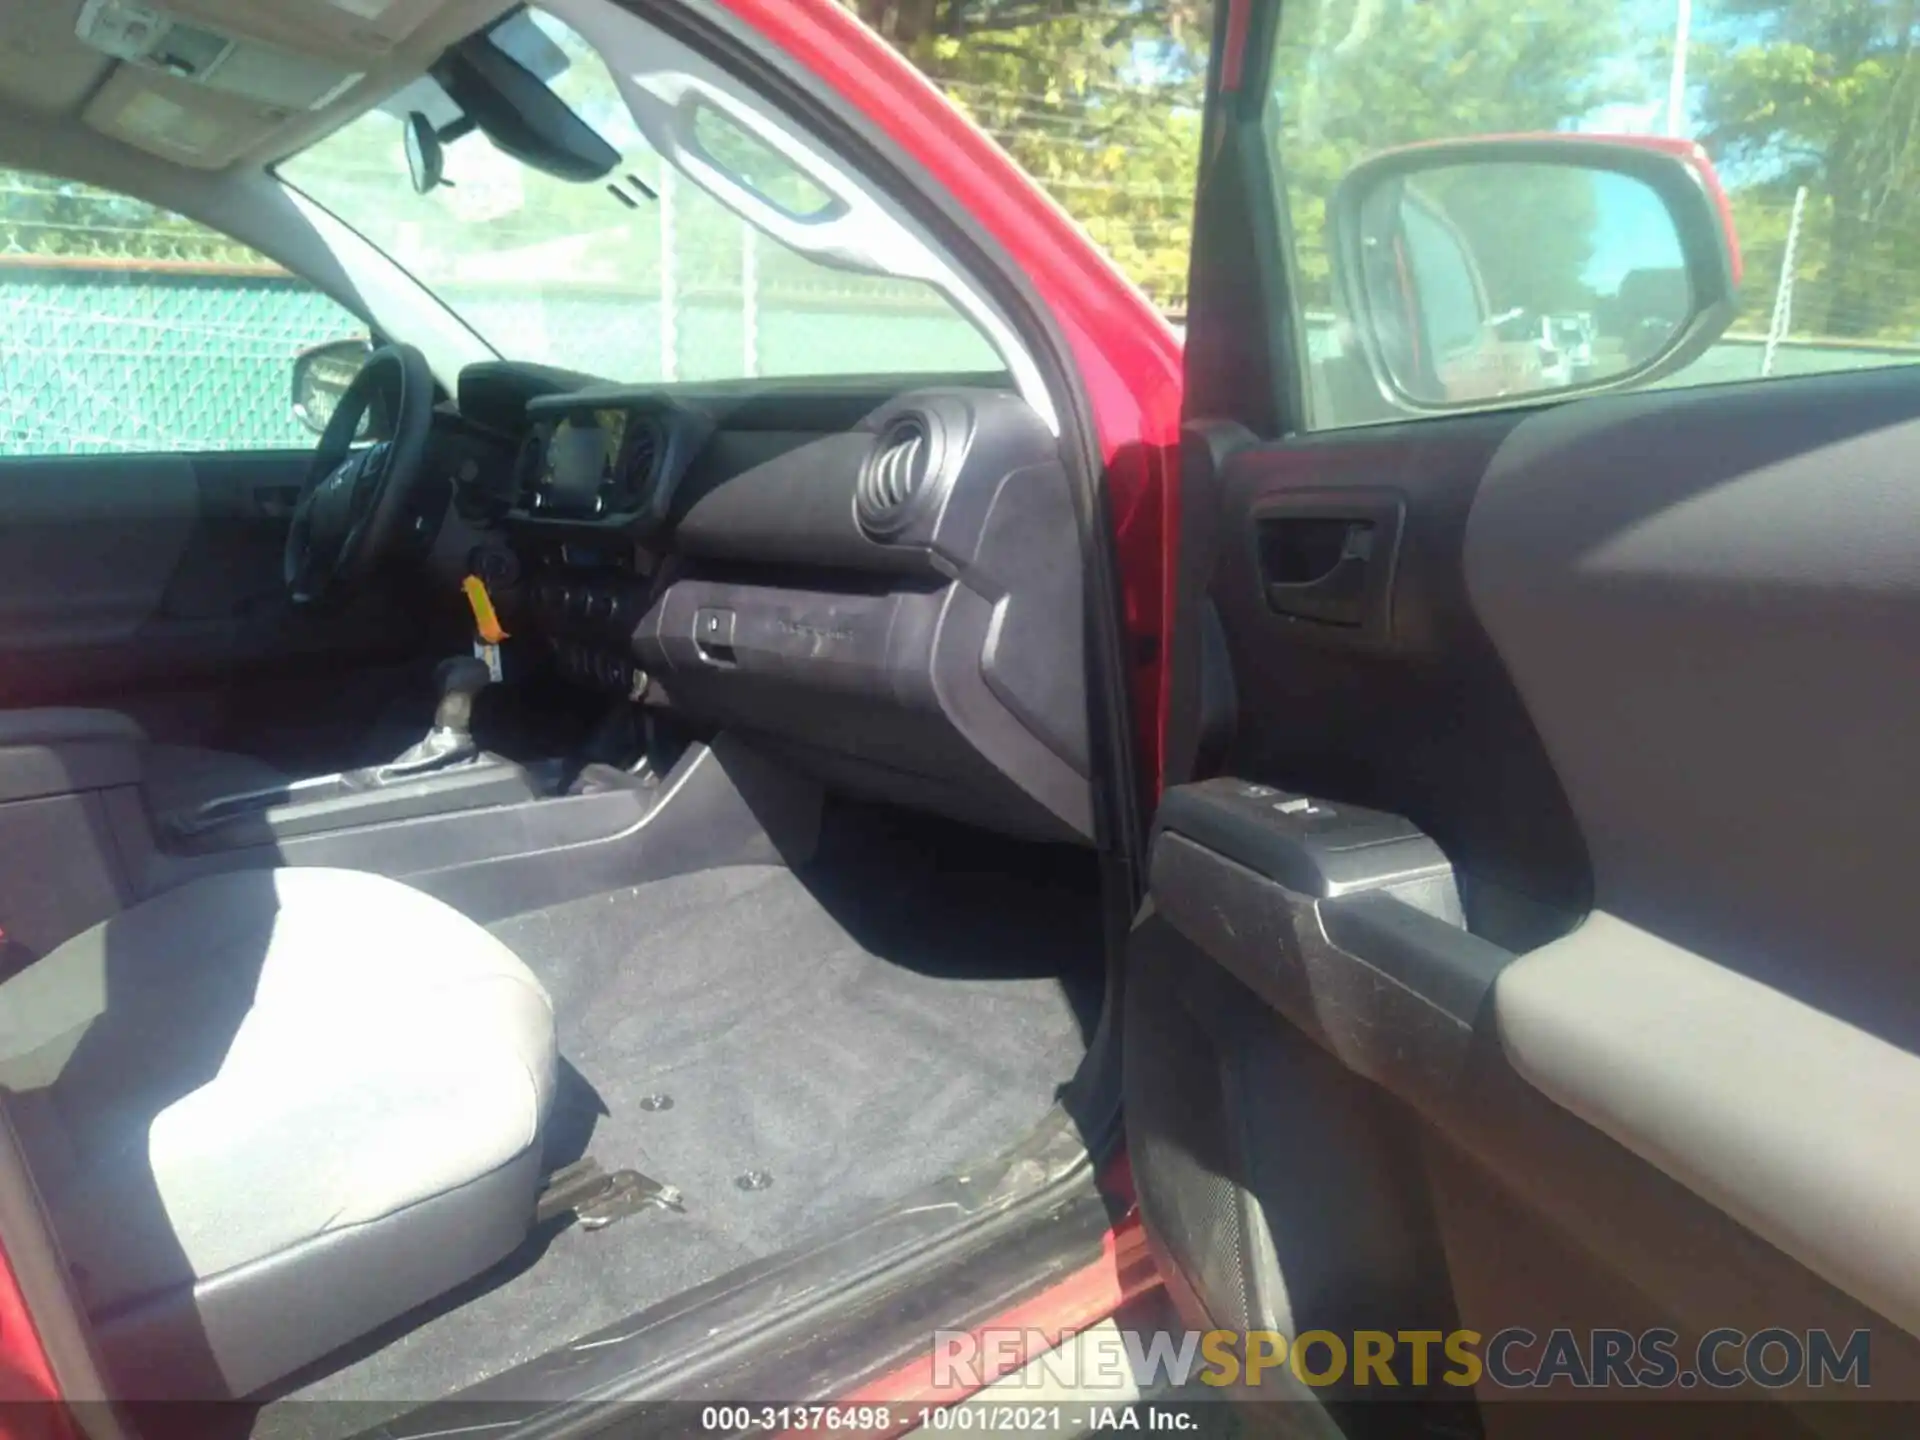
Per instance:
{"type": "Point", "coordinates": [128, 329]}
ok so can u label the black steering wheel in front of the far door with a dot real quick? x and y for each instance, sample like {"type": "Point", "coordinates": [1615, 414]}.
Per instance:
{"type": "Point", "coordinates": [356, 500]}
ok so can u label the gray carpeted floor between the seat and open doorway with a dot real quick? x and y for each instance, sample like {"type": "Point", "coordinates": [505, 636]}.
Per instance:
{"type": "Point", "coordinates": [788, 1053]}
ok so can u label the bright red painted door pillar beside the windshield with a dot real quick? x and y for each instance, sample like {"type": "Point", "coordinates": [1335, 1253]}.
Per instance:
{"type": "Point", "coordinates": [1128, 356]}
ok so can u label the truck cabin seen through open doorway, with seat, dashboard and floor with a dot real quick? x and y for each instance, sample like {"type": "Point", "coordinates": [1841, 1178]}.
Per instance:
{"type": "Point", "coordinates": [385, 1017]}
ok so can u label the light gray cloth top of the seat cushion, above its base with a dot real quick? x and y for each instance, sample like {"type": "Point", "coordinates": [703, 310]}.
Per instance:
{"type": "Point", "coordinates": [264, 1059]}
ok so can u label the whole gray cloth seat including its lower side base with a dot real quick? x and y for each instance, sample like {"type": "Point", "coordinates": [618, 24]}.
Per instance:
{"type": "Point", "coordinates": [270, 1113]}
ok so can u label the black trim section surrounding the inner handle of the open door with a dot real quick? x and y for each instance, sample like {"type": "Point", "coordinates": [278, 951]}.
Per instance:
{"type": "Point", "coordinates": [1355, 717]}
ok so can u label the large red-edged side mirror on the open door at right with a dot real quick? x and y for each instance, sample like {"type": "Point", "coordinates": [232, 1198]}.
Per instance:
{"type": "Point", "coordinates": [1499, 270]}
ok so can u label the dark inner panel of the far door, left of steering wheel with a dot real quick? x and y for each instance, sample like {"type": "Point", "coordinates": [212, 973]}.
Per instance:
{"type": "Point", "coordinates": [153, 585]}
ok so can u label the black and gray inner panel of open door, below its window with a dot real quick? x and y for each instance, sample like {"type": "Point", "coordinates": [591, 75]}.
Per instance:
{"type": "Point", "coordinates": [1646, 688]}
